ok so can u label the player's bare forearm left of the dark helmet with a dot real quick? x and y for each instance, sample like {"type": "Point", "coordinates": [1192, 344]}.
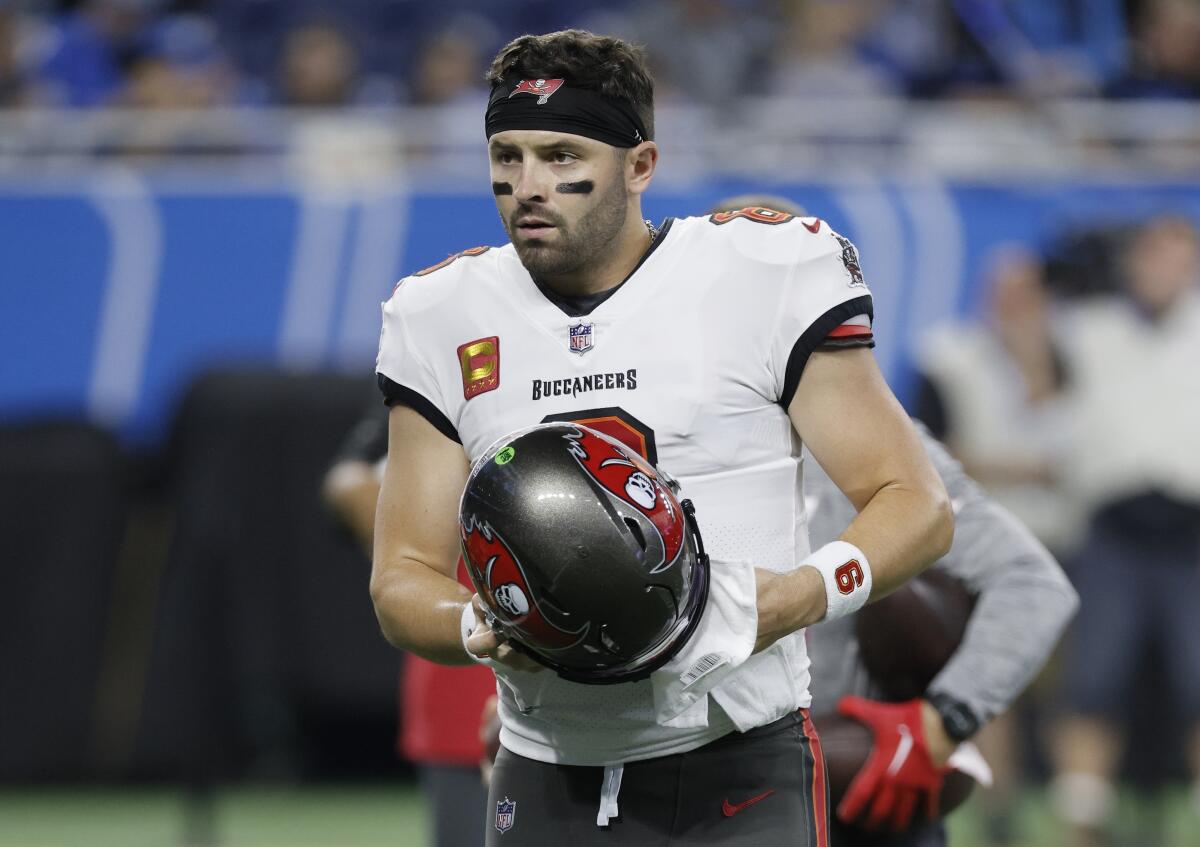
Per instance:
{"type": "Point", "coordinates": [421, 611]}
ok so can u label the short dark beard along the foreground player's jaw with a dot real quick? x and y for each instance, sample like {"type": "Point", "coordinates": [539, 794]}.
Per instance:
{"type": "Point", "coordinates": [578, 247]}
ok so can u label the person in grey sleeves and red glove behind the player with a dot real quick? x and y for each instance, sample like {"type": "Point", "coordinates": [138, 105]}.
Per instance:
{"type": "Point", "coordinates": [1024, 603]}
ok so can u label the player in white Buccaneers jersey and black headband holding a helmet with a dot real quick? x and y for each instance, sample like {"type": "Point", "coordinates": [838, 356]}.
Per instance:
{"type": "Point", "coordinates": [712, 346]}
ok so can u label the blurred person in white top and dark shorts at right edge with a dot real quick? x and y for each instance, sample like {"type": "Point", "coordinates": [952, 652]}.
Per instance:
{"type": "Point", "coordinates": [1136, 464]}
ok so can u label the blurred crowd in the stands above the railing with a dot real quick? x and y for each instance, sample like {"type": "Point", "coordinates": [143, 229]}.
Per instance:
{"type": "Point", "coordinates": [314, 53]}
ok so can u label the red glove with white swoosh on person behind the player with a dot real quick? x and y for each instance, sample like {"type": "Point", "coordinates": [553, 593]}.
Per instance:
{"type": "Point", "coordinates": [899, 773]}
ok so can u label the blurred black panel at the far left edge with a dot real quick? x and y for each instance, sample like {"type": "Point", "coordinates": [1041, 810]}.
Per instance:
{"type": "Point", "coordinates": [63, 513]}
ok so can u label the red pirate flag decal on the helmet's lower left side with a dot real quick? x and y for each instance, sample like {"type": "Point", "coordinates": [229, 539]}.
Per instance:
{"type": "Point", "coordinates": [503, 586]}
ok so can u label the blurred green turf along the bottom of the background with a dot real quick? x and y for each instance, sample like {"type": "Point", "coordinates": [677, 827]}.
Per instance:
{"type": "Point", "coordinates": [393, 816]}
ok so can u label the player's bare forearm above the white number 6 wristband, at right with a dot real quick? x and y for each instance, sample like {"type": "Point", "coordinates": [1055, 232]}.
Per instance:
{"type": "Point", "coordinates": [903, 530]}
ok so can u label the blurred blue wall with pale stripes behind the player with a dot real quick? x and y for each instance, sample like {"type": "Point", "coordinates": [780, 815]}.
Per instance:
{"type": "Point", "coordinates": [116, 291]}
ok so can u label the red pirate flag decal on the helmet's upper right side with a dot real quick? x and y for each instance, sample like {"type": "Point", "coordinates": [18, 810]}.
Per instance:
{"type": "Point", "coordinates": [631, 478]}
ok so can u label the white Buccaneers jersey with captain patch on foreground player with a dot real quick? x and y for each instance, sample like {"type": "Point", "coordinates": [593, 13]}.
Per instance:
{"type": "Point", "coordinates": [693, 361]}
